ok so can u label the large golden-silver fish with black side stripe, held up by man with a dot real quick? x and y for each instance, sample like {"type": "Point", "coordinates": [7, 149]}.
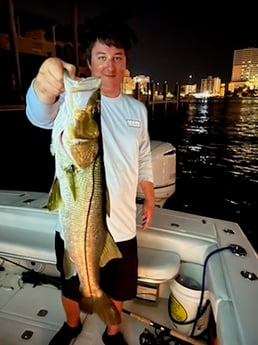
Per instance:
{"type": "Point", "coordinates": [79, 193]}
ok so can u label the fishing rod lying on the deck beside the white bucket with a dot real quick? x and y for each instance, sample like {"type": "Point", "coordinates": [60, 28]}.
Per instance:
{"type": "Point", "coordinates": [171, 332]}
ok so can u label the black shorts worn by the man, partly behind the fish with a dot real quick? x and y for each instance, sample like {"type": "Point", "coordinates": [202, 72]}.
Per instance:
{"type": "Point", "coordinates": [118, 278]}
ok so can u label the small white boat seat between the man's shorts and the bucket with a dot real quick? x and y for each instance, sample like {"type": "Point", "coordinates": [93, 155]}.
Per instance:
{"type": "Point", "coordinates": [157, 266]}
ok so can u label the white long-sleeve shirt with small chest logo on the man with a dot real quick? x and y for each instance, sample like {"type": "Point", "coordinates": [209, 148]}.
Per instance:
{"type": "Point", "coordinates": [127, 155]}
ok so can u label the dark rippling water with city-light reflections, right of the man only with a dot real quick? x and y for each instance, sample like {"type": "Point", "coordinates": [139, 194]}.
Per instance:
{"type": "Point", "coordinates": [217, 159]}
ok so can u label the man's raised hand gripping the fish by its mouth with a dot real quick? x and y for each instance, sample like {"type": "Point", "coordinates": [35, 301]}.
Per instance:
{"type": "Point", "coordinates": [49, 82]}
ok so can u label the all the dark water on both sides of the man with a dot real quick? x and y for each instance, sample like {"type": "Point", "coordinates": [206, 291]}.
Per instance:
{"type": "Point", "coordinates": [217, 158]}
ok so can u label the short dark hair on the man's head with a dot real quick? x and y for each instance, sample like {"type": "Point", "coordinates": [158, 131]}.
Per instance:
{"type": "Point", "coordinates": [110, 31]}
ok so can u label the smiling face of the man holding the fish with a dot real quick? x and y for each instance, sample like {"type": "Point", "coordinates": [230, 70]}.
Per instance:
{"type": "Point", "coordinates": [109, 63]}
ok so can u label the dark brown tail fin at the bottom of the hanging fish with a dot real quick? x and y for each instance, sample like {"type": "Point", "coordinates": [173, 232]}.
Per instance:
{"type": "Point", "coordinates": [103, 307]}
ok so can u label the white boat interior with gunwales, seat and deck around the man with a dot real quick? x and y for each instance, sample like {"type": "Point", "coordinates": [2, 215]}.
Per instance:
{"type": "Point", "coordinates": [27, 238]}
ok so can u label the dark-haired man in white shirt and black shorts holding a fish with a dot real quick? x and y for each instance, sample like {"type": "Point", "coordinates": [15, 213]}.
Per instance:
{"type": "Point", "coordinates": [127, 162]}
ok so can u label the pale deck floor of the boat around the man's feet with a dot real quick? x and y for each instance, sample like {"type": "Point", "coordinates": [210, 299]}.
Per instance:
{"type": "Point", "coordinates": [32, 315]}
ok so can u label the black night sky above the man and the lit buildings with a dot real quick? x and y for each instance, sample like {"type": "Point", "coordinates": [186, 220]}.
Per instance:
{"type": "Point", "coordinates": [174, 40]}
